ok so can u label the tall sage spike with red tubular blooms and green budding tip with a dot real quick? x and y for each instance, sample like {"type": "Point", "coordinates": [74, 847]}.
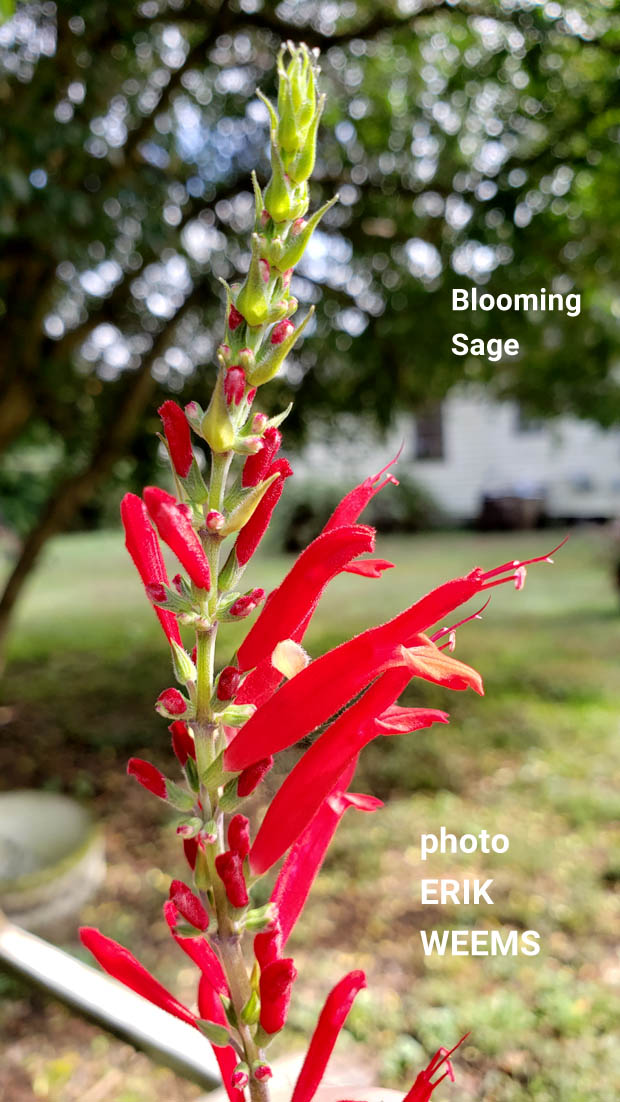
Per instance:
{"type": "Point", "coordinates": [227, 727]}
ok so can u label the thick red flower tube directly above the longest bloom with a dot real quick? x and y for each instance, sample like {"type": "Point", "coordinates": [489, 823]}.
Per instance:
{"type": "Point", "coordinates": [299, 595]}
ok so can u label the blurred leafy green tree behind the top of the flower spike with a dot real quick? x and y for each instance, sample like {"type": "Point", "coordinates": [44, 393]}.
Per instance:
{"type": "Point", "coordinates": [470, 141]}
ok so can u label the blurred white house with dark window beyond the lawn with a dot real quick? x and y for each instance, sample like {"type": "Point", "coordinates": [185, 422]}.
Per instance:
{"type": "Point", "coordinates": [471, 448]}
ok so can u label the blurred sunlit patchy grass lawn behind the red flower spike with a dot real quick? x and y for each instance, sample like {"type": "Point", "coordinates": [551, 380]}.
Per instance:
{"type": "Point", "coordinates": [538, 760]}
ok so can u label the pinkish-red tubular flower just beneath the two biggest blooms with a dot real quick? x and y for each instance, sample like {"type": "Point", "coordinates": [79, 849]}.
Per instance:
{"type": "Point", "coordinates": [304, 861]}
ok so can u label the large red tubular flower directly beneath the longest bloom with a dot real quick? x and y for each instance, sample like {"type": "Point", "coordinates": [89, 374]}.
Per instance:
{"type": "Point", "coordinates": [319, 771]}
